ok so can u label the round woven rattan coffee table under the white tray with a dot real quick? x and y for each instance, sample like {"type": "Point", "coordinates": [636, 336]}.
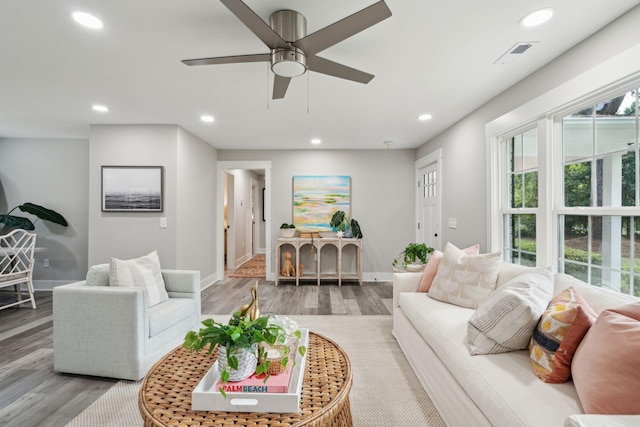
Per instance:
{"type": "Point", "coordinates": [165, 394]}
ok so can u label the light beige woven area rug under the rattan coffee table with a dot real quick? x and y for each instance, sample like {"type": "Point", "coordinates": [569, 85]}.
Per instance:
{"type": "Point", "coordinates": [385, 390]}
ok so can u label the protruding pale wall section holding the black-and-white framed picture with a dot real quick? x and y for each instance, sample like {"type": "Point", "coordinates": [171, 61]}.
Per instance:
{"type": "Point", "coordinates": [189, 190]}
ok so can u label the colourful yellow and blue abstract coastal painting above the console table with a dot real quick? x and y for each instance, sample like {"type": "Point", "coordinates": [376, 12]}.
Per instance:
{"type": "Point", "coordinates": [317, 197]}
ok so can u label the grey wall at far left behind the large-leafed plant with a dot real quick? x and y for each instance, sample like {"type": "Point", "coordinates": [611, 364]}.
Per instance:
{"type": "Point", "coordinates": [52, 173]}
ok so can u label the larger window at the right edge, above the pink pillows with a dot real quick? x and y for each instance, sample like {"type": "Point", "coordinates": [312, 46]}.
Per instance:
{"type": "Point", "coordinates": [598, 222]}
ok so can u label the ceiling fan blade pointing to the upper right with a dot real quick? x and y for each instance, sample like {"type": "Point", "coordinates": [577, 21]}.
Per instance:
{"type": "Point", "coordinates": [343, 29]}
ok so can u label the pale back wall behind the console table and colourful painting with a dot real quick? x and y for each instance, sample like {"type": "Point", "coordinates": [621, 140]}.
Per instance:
{"type": "Point", "coordinates": [381, 188]}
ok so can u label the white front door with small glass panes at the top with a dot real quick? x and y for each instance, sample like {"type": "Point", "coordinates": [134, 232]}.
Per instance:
{"type": "Point", "coordinates": [429, 199]}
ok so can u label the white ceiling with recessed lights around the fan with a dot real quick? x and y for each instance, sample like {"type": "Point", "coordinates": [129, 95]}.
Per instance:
{"type": "Point", "coordinates": [430, 57]}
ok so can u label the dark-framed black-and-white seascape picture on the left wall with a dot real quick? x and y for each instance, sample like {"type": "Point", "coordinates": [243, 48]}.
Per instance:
{"type": "Point", "coordinates": [132, 188]}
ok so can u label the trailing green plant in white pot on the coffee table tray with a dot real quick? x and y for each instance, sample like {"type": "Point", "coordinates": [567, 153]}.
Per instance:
{"type": "Point", "coordinates": [242, 344]}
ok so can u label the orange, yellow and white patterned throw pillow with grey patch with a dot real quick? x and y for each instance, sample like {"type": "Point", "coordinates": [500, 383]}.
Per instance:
{"type": "Point", "coordinates": [558, 334]}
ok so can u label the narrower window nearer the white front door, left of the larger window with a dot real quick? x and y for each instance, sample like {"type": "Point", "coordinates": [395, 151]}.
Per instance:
{"type": "Point", "coordinates": [520, 197]}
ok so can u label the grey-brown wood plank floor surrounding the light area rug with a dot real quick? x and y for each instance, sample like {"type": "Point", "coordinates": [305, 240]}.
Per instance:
{"type": "Point", "coordinates": [32, 394]}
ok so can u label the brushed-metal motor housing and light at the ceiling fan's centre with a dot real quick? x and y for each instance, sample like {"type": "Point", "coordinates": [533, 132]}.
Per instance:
{"type": "Point", "coordinates": [291, 26]}
